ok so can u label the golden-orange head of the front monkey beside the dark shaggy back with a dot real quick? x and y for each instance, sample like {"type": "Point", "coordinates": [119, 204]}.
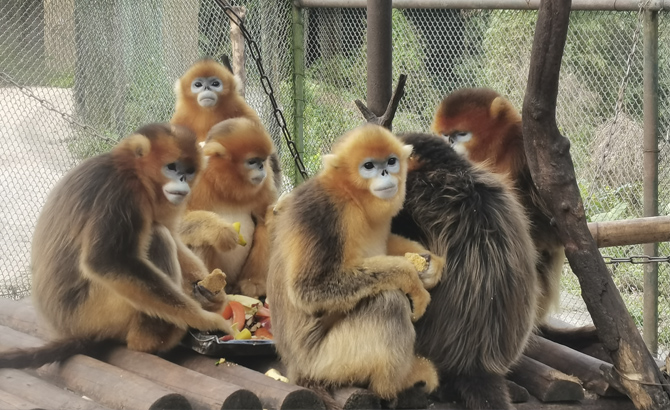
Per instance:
{"type": "Point", "coordinates": [369, 165]}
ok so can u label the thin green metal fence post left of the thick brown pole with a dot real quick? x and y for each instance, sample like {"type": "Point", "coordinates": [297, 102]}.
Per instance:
{"type": "Point", "coordinates": [298, 85]}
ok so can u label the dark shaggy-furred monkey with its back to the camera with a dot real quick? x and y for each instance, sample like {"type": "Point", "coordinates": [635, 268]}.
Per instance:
{"type": "Point", "coordinates": [483, 311]}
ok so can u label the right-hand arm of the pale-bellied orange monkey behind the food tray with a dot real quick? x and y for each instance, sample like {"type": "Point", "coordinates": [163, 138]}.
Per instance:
{"type": "Point", "coordinates": [253, 277]}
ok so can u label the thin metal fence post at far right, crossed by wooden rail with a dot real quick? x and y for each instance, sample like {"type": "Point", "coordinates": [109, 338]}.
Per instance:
{"type": "Point", "coordinates": [650, 147]}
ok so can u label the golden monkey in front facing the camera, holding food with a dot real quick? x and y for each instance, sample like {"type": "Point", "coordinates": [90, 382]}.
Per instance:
{"type": "Point", "coordinates": [338, 281]}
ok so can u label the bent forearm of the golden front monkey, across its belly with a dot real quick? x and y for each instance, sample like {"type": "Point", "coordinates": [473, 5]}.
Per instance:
{"type": "Point", "coordinates": [318, 287]}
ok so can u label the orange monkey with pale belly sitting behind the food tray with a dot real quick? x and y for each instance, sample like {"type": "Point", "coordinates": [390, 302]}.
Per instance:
{"type": "Point", "coordinates": [236, 186]}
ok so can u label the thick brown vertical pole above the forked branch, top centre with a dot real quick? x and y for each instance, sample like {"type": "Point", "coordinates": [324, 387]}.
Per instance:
{"type": "Point", "coordinates": [379, 59]}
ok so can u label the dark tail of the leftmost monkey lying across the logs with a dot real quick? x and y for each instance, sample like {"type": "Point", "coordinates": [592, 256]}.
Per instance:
{"type": "Point", "coordinates": [55, 351]}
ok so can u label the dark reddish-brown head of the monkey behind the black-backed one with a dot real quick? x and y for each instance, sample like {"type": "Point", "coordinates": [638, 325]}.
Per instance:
{"type": "Point", "coordinates": [480, 124]}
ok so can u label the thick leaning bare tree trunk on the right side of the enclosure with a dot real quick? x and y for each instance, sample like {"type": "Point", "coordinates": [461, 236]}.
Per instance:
{"type": "Point", "coordinates": [553, 172]}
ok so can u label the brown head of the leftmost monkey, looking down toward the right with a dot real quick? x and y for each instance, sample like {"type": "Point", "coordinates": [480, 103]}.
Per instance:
{"type": "Point", "coordinates": [165, 158]}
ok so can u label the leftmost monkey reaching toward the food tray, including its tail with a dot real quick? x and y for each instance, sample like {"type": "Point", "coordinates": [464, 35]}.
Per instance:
{"type": "Point", "coordinates": [106, 261]}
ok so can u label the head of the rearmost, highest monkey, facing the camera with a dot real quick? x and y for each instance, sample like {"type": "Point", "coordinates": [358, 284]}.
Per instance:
{"type": "Point", "coordinates": [207, 83]}
